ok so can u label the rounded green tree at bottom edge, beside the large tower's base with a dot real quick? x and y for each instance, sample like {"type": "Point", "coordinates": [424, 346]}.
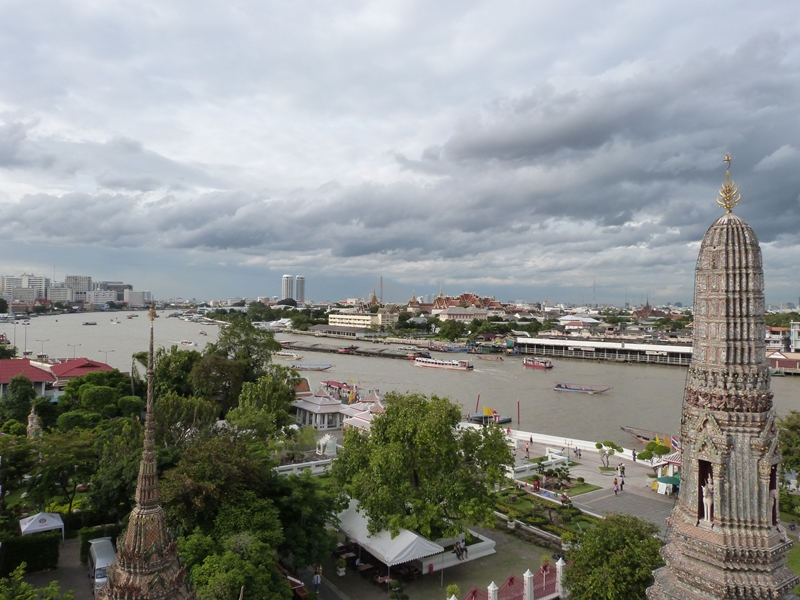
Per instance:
{"type": "Point", "coordinates": [614, 560]}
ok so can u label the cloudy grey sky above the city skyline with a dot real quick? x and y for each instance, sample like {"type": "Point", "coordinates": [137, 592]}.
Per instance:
{"type": "Point", "coordinates": [526, 149]}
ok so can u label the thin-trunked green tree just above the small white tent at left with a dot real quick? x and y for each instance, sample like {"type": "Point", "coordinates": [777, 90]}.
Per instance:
{"type": "Point", "coordinates": [68, 460]}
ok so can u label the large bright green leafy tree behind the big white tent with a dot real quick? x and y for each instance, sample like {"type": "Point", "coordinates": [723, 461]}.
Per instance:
{"type": "Point", "coordinates": [419, 470]}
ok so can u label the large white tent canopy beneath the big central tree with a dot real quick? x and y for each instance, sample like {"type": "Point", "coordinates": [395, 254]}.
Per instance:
{"type": "Point", "coordinates": [407, 546]}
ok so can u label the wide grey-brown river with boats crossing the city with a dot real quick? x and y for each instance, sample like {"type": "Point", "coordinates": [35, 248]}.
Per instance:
{"type": "Point", "coordinates": [643, 396]}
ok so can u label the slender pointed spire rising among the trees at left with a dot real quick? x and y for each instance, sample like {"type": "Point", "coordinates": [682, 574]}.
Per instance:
{"type": "Point", "coordinates": [147, 561]}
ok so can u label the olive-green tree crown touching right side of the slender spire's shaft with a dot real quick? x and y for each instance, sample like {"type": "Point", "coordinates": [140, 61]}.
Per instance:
{"type": "Point", "coordinates": [177, 419]}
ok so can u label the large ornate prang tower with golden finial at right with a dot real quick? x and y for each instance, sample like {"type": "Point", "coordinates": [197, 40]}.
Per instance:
{"type": "Point", "coordinates": [725, 537]}
